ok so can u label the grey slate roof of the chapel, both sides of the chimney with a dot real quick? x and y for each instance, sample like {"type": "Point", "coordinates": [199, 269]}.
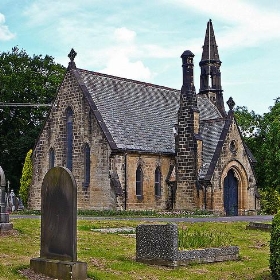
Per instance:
{"type": "Point", "coordinates": [140, 116]}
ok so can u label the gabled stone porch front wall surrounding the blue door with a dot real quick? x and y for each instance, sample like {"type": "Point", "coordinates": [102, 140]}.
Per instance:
{"type": "Point", "coordinates": [233, 156]}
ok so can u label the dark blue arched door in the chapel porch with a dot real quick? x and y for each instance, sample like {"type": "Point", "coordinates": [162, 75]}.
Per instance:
{"type": "Point", "coordinates": [231, 194]}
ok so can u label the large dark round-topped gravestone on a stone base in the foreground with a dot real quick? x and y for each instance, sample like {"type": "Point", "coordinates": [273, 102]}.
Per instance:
{"type": "Point", "coordinates": [58, 254]}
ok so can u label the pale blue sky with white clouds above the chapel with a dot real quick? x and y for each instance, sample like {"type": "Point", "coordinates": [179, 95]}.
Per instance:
{"type": "Point", "coordinates": [144, 39]}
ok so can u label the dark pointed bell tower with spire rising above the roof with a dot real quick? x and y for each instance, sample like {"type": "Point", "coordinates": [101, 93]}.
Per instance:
{"type": "Point", "coordinates": [210, 76]}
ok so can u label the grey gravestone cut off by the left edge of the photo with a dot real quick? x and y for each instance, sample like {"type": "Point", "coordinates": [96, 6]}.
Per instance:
{"type": "Point", "coordinates": [5, 224]}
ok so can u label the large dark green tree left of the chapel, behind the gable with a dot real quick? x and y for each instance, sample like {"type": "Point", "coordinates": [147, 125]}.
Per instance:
{"type": "Point", "coordinates": [24, 79]}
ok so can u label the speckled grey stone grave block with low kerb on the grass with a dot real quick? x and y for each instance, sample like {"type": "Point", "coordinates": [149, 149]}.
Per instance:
{"type": "Point", "coordinates": [158, 244]}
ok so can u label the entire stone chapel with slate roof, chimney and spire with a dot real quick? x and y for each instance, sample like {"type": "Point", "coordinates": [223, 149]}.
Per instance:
{"type": "Point", "coordinates": [133, 145]}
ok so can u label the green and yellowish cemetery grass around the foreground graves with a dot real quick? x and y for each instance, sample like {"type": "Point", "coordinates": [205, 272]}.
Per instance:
{"type": "Point", "coordinates": [112, 256]}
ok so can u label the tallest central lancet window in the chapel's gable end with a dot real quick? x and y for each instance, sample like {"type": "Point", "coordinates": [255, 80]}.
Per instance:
{"type": "Point", "coordinates": [69, 138]}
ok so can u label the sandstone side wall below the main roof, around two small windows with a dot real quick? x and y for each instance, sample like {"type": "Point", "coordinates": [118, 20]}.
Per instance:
{"type": "Point", "coordinates": [127, 177]}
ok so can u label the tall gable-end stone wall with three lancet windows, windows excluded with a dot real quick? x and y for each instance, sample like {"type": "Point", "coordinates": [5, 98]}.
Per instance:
{"type": "Point", "coordinates": [86, 130]}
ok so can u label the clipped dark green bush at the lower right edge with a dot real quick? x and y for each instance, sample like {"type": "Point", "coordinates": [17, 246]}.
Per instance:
{"type": "Point", "coordinates": [274, 260]}
